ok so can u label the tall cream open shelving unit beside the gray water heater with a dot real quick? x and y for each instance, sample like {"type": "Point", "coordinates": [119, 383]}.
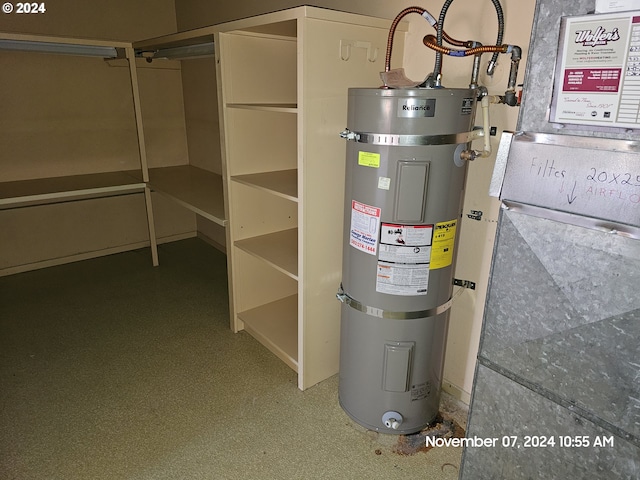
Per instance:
{"type": "Point", "coordinates": [283, 96]}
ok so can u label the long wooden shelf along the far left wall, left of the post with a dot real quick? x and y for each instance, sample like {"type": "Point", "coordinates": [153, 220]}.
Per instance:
{"type": "Point", "coordinates": [40, 191]}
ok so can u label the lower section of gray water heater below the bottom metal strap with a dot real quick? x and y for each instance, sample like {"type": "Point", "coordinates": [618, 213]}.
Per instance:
{"type": "Point", "coordinates": [379, 375]}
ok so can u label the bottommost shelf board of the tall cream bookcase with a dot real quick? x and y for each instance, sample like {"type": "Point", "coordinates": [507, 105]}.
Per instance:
{"type": "Point", "coordinates": [275, 325]}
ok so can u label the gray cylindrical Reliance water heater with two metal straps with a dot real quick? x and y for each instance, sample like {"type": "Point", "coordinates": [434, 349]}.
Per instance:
{"type": "Point", "coordinates": [403, 203]}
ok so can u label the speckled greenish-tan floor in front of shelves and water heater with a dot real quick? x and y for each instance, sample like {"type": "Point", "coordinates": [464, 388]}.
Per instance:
{"type": "Point", "coordinates": [113, 369]}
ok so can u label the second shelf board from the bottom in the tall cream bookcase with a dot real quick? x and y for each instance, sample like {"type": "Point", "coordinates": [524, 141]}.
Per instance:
{"type": "Point", "coordinates": [280, 250]}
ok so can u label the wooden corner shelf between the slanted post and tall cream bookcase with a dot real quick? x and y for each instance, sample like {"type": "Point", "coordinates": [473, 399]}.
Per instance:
{"type": "Point", "coordinates": [194, 188]}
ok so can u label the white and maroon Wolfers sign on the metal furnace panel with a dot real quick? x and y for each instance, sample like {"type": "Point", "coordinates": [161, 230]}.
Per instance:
{"type": "Point", "coordinates": [598, 71]}
